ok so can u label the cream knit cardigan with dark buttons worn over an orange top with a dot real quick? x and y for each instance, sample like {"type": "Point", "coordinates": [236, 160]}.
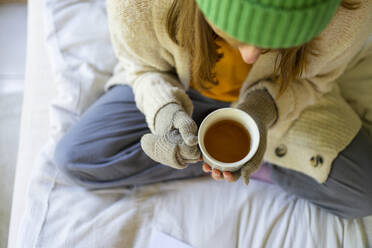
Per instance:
{"type": "Point", "coordinates": [314, 122]}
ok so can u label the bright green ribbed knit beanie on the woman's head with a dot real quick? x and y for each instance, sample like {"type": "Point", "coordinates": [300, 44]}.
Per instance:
{"type": "Point", "coordinates": [270, 23]}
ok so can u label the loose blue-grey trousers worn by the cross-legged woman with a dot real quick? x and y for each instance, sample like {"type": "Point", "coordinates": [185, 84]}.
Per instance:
{"type": "Point", "coordinates": [103, 150]}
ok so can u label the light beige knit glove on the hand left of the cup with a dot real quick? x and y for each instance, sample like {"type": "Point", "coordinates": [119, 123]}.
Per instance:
{"type": "Point", "coordinates": [175, 141]}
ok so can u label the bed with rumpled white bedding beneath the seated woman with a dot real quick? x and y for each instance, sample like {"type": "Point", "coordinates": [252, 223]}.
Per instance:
{"type": "Point", "coordinates": [69, 58]}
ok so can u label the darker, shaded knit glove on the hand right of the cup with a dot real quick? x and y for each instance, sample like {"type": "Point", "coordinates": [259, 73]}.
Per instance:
{"type": "Point", "coordinates": [261, 107]}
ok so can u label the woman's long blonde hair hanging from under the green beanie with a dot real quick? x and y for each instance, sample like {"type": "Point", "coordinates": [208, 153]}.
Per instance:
{"type": "Point", "coordinates": [188, 28]}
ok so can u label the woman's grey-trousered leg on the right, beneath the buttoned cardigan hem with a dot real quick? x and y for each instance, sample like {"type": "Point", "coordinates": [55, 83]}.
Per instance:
{"type": "Point", "coordinates": [348, 189]}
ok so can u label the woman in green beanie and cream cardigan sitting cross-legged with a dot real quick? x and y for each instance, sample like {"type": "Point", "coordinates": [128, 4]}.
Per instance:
{"type": "Point", "coordinates": [279, 62]}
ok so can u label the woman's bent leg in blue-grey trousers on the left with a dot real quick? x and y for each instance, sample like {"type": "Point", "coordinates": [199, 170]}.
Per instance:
{"type": "Point", "coordinates": [103, 148]}
